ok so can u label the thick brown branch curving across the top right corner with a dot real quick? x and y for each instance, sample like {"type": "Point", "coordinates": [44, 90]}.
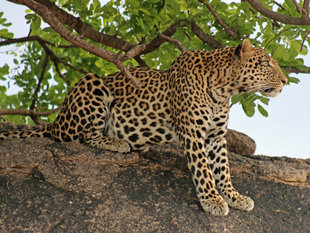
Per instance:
{"type": "Point", "coordinates": [256, 4]}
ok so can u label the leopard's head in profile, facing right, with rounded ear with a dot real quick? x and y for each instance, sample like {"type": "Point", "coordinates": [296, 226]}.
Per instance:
{"type": "Point", "coordinates": [257, 71]}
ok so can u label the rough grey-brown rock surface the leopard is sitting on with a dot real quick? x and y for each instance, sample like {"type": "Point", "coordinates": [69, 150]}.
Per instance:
{"type": "Point", "coordinates": [47, 186]}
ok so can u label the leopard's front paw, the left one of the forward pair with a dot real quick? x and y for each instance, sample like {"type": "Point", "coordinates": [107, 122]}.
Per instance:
{"type": "Point", "coordinates": [216, 207]}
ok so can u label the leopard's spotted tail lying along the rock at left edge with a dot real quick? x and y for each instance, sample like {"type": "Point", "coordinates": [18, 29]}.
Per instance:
{"type": "Point", "coordinates": [43, 131]}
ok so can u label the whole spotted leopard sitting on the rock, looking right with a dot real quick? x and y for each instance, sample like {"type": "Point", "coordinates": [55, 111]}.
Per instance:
{"type": "Point", "coordinates": [188, 104]}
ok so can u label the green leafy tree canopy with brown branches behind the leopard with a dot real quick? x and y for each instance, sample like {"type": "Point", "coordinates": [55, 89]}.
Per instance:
{"type": "Point", "coordinates": [50, 65]}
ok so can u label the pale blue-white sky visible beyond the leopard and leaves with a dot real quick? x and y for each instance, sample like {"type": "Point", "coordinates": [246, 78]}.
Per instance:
{"type": "Point", "coordinates": [285, 132]}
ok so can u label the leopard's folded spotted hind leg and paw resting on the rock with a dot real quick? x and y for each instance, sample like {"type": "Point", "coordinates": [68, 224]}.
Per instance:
{"type": "Point", "coordinates": [84, 115]}
